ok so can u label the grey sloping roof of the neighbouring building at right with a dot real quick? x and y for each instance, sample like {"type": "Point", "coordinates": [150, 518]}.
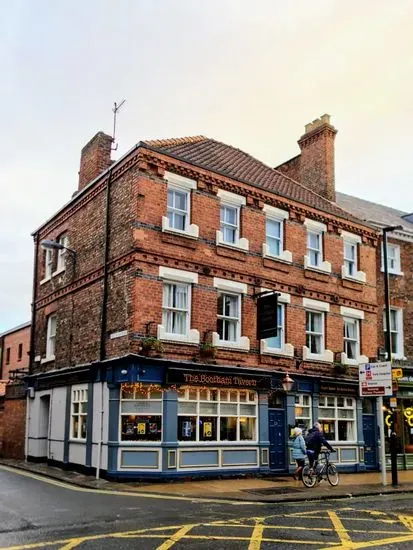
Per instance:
{"type": "Point", "coordinates": [376, 214]}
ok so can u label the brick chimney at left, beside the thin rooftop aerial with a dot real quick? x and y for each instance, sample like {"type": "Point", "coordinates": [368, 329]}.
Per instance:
{"type": "Point", "coordinates": [94, 158]}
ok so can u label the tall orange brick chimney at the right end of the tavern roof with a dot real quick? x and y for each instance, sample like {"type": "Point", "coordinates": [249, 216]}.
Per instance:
{"type": "Point", "coordinates": [317, 157]}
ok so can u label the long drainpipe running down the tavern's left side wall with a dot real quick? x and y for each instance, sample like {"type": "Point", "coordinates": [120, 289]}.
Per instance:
{"type": "Point", "coordinates": [103, 324]}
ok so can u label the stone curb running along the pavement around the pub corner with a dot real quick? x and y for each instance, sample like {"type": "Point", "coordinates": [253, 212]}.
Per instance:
{"type": "Point", "coordinates": [279, 499]}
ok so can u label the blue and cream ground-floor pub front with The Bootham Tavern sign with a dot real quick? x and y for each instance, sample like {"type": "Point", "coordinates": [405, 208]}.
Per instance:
{"type": "Point", "coordinates": [140, 417]}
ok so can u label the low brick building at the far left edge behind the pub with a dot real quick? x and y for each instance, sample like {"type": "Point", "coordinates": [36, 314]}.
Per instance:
{"type": "Point", "coordinates": [14, 361]}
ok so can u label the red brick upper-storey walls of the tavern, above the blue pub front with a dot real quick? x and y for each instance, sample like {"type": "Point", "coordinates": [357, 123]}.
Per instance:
{"type": "Point", "coordinates": [138, 248]}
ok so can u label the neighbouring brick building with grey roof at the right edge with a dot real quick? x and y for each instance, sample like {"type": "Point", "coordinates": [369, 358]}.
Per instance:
{"type": "Point", "coordinates": [400, 262]}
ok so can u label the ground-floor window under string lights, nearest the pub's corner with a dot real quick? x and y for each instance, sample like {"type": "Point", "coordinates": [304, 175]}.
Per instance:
{"type": "Point", "coordinates": [141, 412]}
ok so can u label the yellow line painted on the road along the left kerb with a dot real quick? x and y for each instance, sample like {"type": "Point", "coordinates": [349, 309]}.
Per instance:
{"type": "Point", "coordinates": [139, 494]}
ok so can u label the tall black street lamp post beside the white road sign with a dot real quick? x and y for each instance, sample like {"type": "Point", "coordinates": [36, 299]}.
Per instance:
{"type": "Point", "coordinates": [393, 438]}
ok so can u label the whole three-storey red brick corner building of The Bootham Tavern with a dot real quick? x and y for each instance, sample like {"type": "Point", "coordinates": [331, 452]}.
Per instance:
{"type": "Point", "coordinates": [145, 359]}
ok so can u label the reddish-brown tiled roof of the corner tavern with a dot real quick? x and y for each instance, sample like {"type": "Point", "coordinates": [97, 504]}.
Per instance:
{"type": "Point", "coordinates": [232, 162]}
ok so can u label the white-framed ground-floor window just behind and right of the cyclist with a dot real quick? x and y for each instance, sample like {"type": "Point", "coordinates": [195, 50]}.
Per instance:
{"type": "Point", "coordinates": [338, 417]}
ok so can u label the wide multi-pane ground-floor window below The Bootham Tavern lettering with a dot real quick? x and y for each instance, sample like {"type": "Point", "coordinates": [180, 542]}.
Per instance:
{"type": "Point", "coordinates": [217, 415]}
